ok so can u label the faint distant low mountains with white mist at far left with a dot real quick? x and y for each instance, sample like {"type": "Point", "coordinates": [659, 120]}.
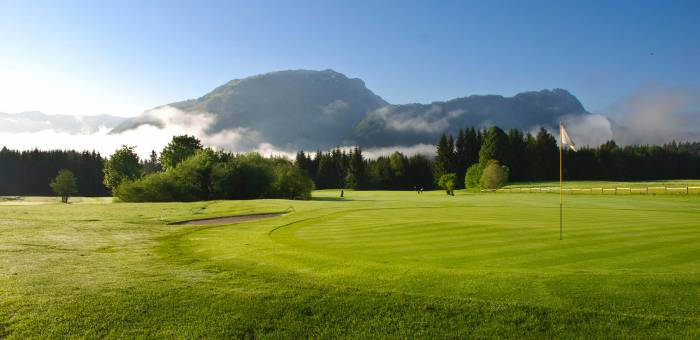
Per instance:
{"type": "Point", "coordinates": [34, 121]}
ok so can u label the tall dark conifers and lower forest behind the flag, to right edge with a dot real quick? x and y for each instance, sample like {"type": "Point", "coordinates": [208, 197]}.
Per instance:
{"type": "Point", "coordinates": [528, 157]}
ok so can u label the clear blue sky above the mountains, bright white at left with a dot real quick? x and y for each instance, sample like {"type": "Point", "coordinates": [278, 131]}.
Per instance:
{"type": "Point", "coordinates": [122, 57]}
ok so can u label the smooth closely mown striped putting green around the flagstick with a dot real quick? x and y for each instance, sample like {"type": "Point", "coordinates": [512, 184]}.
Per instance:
{"type": "Point", "coordinates": [622, 256]}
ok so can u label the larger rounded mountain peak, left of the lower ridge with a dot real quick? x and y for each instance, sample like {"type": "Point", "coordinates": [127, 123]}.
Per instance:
{"type": "Point", "coordinates": [291, 109]}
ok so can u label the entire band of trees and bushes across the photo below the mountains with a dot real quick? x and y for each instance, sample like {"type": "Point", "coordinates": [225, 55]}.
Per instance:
{"type": "Point", "coordinates": [473, 158]}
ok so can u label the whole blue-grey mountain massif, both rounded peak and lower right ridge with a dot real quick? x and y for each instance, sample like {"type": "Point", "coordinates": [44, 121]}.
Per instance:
{"type": "Point", "coordinates": [320, 109]}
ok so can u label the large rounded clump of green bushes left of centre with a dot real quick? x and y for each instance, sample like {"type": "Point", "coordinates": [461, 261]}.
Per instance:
{"type": "Point", "coordinates": [216, 175]}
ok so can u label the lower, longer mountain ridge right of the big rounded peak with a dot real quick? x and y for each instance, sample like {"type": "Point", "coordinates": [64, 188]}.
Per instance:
{"type": "Point", "coordinates": [423, 123]}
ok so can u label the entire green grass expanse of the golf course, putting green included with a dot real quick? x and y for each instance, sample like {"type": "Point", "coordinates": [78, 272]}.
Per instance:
{"type": "Point", "coordinates": [377, 264]}
